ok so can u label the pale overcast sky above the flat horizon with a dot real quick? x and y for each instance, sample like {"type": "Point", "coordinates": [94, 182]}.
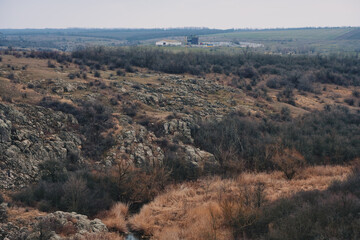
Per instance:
{"type": "Point", "coordinates": [222, 14]}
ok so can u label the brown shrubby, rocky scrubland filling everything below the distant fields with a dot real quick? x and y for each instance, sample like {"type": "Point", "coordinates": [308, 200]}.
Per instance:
{"type": "Point", "coordinates": [185, 145]}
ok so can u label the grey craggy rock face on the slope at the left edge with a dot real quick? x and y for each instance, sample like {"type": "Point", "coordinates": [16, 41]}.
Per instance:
{"type": "Point", "coordinates": [29, 136]}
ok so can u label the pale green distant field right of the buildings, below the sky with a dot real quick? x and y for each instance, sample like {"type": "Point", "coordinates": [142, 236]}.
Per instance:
{"type": "Point", "coordinates": [311, 40]}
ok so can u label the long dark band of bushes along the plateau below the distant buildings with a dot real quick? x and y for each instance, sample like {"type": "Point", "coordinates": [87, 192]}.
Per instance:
{"type": "Point", "coordinates": [304, 71]}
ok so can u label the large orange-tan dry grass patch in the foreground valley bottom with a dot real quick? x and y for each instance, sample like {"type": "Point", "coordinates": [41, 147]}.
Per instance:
{"type": "Point", "coordinates": [196, 210]}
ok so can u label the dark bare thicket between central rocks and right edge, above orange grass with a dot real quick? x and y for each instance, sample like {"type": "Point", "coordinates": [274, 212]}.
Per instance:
{"type": "Point", "coordinates": [240, 142]}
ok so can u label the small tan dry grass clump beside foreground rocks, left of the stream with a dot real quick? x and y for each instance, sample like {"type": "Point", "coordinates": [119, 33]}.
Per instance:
{"type": "Point", "coordinates": [115, 218]}
